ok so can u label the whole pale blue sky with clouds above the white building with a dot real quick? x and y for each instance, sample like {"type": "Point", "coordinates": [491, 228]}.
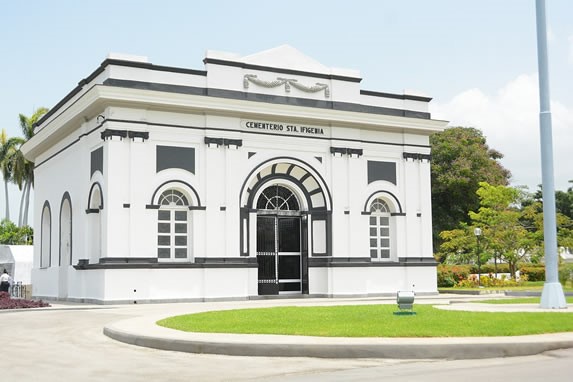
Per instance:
{"type": "Point", "coordinates": [476, 58]}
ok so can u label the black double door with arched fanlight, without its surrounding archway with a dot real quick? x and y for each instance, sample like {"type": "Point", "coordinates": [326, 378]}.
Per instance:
{"type": "Point", "coordinates": [279, 244]}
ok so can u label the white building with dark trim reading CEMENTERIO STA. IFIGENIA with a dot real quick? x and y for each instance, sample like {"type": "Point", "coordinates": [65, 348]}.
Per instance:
{"type": "Point", "coordinates": [264, 174]}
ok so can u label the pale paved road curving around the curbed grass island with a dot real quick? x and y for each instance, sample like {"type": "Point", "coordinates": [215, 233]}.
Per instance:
{"type": "Point", "coordinates": [68, 345]}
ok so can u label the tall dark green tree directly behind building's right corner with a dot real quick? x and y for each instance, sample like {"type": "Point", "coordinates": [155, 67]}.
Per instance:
{"type": "Point", "coordinates": [461, 159]}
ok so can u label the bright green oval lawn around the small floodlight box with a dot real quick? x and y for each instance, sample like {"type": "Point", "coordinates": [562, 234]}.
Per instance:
{"type": "Point", "coordinates": [370, 321]}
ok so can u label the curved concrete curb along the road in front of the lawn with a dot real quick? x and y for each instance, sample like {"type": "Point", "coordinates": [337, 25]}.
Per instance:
{"type": "Point", "coordinates": [320, 347]}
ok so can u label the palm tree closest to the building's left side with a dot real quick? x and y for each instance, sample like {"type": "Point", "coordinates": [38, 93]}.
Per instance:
{"type": "Point", "coordinates": [23, 170]}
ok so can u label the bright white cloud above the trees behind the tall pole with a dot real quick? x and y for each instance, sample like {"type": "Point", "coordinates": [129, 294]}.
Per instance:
{"type": "Point", "coordinates": [510, 121]}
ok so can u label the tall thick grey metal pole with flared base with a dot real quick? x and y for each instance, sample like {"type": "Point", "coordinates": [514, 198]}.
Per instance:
{"type": "Point", "coordinates": [552, 296]}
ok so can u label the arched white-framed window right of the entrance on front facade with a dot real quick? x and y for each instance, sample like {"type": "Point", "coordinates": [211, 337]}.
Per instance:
{"type": "Point", "coordinates": [380, 230]}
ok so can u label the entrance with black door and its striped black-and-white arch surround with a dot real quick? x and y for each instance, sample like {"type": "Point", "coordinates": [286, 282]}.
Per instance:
{"type": "Point", "coordinates": [285, 215]}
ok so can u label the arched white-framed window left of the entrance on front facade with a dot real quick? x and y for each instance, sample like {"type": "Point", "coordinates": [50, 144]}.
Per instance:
{"type": "Point", "coordinates": [173, 226]}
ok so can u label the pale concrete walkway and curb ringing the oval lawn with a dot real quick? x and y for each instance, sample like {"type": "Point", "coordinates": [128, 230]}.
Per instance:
{"type": "Point", "coordinates": [143, 331]}
